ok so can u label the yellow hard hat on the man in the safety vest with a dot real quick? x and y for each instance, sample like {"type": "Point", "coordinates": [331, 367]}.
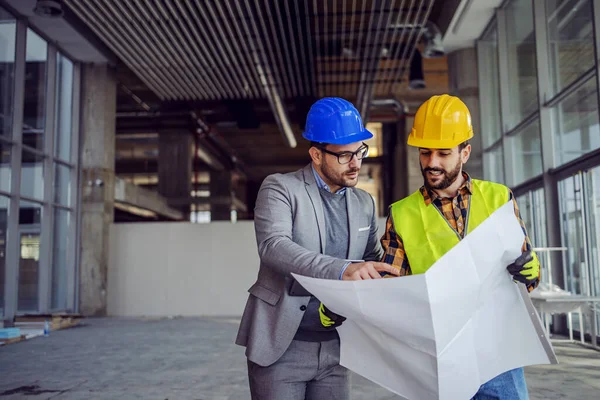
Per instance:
{"type": "Point", "coordinates": [442, 122]}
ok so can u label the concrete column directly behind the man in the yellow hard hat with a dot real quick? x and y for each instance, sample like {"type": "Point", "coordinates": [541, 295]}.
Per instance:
{"type": "Point", "coordinates": [463, 82]}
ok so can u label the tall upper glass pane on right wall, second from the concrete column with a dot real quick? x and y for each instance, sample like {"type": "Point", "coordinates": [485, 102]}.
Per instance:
{"type": "Point", "coordinates": [522, 65]}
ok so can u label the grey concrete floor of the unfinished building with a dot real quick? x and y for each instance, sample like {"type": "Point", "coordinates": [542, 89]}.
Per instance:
{"type": "Point", "coordinates": [195, 358]}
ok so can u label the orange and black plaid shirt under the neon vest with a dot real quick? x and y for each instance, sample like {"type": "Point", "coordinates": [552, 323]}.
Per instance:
{"type": "Point", "coordinates": [454, 211]}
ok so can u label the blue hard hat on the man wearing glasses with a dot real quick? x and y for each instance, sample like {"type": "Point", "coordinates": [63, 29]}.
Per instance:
{"type": "Point", "coordinates": [334, 120]}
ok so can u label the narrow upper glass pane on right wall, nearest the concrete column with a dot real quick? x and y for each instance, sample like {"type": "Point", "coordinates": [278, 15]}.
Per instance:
{"type": "Point", "coordinates": [491, 128]}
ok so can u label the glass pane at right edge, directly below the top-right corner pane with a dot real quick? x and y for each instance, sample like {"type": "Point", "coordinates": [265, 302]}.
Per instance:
{"type": "Point", "coordinates": [576, 123]}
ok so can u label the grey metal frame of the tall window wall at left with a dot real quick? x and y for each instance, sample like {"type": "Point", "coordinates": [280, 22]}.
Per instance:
{"type": "Point", "coordinates": [50, 160]}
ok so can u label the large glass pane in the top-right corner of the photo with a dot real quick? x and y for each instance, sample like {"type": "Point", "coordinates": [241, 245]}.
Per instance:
{"type": "Point", "coordinates": [570, 40]}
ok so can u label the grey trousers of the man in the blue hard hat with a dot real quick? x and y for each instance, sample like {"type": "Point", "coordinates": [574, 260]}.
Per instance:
{"type": "Point", "coordinates": [306, 371]}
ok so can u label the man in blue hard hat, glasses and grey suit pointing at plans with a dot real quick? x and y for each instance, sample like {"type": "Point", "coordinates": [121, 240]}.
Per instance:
{"type": "Point", "coordinates": [311, 222]}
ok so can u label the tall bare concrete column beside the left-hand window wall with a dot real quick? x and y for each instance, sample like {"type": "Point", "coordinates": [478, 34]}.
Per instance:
{"type": "Point", "coordinates": [99, 101]}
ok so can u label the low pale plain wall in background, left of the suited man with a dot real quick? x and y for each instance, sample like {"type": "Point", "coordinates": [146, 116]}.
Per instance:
{"type": "Point", "coordinates": [172, 269]}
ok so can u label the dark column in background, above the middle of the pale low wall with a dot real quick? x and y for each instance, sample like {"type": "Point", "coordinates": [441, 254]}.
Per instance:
{"type": "Point", "coordinates": [175, 168]}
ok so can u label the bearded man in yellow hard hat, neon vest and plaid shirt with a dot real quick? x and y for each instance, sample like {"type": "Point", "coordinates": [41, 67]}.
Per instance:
{"type": "Point", "coordinates": [422, 227]}
